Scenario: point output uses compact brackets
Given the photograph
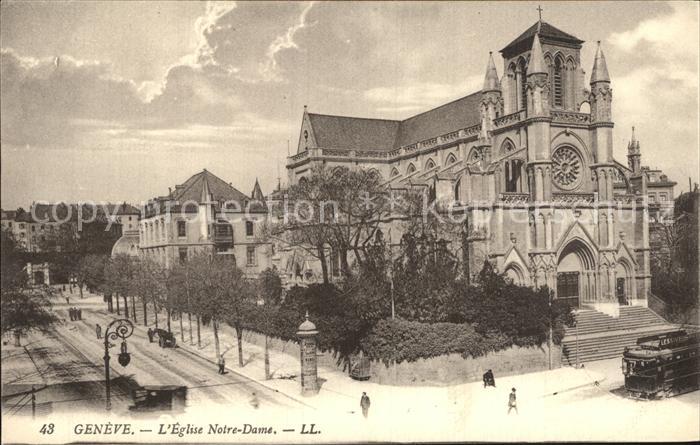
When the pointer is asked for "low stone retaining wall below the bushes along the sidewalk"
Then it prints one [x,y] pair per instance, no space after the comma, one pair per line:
[444,370]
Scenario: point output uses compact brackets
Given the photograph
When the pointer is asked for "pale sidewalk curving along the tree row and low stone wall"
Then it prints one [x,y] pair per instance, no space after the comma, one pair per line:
[341,394]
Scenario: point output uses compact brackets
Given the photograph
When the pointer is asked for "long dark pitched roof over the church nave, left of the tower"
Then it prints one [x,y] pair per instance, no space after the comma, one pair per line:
[354,133]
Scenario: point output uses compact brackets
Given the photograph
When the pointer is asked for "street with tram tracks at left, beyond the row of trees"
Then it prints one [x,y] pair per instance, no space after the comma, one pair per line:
[72,353]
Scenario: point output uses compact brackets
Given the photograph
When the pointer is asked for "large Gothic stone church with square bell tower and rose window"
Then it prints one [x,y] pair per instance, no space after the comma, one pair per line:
[530,159]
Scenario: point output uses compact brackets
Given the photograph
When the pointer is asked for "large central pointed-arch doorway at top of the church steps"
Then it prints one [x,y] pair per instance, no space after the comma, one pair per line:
[576,278]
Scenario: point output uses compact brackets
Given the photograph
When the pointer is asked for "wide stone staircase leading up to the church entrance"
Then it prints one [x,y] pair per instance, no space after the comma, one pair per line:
[601,336]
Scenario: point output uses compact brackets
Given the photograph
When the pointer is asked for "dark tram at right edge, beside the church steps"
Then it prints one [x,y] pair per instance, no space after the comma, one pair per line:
[662,365]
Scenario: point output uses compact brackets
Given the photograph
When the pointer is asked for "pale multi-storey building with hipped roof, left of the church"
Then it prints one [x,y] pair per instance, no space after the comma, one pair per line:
[205,214]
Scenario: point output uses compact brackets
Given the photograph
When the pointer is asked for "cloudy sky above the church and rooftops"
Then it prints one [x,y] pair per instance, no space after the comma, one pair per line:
[118,101]
